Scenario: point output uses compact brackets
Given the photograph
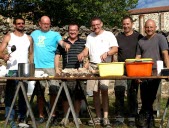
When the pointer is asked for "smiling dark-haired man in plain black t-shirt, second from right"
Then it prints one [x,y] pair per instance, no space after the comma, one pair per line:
[127,42]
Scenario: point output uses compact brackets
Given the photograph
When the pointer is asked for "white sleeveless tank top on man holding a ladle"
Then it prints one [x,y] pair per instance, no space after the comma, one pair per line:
[21,54]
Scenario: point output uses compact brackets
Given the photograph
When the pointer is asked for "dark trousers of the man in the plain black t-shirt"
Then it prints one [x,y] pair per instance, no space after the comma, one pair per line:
[132,89]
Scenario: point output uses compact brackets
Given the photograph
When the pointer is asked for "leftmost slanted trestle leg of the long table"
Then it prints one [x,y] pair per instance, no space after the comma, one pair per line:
[13,102]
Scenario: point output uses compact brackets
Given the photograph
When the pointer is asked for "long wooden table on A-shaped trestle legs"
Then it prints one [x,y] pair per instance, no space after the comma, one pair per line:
[21,79]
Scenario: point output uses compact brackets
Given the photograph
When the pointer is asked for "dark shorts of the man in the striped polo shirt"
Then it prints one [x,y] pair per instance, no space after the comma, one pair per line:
[75,92]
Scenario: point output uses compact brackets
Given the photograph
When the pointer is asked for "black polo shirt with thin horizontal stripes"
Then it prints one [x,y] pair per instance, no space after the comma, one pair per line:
[70,60]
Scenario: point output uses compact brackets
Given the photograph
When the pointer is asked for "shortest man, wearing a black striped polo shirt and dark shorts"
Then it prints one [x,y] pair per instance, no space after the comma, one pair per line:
[70,60]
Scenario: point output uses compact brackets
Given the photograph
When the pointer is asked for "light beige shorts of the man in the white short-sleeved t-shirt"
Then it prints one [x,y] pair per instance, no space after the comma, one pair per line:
[95,85]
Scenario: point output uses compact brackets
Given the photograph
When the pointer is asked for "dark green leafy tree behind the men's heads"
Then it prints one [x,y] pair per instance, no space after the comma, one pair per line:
[62,12]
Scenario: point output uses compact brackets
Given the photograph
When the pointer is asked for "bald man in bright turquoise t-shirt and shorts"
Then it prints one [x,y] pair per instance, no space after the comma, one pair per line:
[45,45]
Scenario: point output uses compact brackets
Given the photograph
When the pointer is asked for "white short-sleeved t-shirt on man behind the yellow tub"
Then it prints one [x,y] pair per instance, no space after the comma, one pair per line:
[99,44]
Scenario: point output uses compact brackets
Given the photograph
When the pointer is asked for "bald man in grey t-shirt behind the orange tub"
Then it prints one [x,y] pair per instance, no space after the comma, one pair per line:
[153,46]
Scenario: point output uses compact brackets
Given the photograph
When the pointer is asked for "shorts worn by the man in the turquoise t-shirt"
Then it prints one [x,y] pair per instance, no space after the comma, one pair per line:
[52,84]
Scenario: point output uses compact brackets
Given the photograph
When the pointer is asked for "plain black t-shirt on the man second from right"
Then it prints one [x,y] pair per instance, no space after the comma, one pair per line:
[127,45]
